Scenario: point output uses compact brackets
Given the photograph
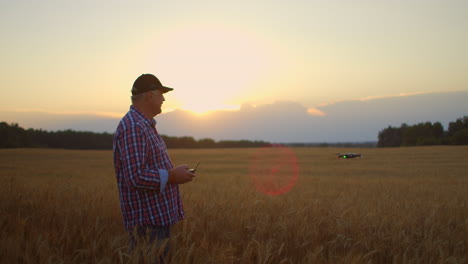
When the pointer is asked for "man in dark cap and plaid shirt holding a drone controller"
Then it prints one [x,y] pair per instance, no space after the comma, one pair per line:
[147,181]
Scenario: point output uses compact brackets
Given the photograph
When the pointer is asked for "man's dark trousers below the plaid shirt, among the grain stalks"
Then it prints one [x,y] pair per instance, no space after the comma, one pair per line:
[151,236]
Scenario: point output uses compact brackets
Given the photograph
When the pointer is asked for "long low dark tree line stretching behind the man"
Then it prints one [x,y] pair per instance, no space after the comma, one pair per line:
[14,136]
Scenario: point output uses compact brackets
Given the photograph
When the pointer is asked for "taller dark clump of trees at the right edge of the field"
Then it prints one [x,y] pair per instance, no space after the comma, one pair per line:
[425,134]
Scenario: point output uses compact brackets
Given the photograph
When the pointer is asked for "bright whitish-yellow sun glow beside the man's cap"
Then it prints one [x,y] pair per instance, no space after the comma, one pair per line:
[211,65]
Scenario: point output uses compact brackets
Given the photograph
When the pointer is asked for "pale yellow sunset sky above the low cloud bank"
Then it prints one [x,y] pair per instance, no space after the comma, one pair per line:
[81,57]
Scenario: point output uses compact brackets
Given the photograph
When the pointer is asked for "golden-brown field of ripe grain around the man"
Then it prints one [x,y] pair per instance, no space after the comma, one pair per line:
[399,205]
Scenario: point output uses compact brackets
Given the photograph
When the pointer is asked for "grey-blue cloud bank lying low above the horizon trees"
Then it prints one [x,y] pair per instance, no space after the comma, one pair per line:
[353,120]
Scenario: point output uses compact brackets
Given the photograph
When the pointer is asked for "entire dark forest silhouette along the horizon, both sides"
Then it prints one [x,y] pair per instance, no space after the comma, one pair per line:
[422,134]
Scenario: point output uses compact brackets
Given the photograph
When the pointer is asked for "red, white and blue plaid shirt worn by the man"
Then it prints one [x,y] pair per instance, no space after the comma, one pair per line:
[141,165]
